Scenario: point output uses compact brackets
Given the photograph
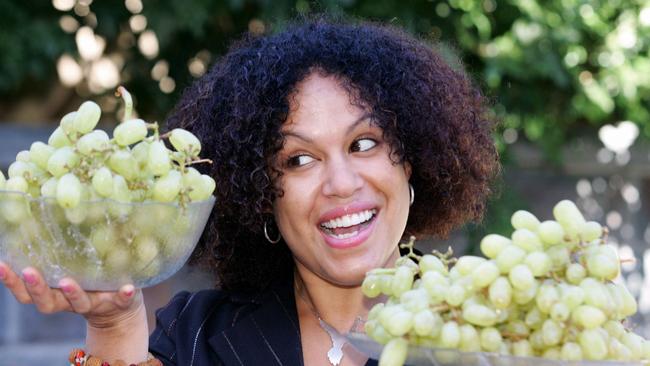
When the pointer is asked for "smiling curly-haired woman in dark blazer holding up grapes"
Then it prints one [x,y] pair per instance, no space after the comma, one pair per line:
[331,142]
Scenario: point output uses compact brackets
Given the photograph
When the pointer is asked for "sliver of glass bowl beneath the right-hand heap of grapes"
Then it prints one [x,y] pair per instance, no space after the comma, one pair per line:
[424,356]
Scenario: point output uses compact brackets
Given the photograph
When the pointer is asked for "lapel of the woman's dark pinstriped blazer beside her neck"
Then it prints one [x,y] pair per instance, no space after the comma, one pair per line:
[269,332]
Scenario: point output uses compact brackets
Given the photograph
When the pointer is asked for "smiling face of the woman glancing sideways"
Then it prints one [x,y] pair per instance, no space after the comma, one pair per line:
[345,203]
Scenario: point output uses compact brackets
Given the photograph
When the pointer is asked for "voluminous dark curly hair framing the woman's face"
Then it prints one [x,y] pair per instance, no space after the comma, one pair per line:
[430,113]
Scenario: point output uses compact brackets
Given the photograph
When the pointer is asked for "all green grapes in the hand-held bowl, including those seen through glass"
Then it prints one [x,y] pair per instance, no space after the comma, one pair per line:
[87,183]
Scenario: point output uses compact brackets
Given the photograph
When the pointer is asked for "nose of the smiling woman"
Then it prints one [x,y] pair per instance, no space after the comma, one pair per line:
[342,178]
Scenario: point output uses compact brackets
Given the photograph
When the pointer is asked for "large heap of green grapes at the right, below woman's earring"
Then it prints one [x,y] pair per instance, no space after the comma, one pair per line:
[549,290]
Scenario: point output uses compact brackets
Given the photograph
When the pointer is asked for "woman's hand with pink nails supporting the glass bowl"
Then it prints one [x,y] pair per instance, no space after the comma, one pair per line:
[101,309]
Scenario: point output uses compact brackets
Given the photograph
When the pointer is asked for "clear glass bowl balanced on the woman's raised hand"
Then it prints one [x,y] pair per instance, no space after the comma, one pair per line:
[102,244]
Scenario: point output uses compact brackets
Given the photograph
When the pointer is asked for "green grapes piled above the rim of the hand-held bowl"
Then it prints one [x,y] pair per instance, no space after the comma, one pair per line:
[79,163]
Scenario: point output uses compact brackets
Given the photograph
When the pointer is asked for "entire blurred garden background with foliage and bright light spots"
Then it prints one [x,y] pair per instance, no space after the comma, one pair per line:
[569,79]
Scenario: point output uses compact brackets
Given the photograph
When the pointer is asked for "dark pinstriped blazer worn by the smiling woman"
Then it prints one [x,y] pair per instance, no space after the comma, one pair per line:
[212,327]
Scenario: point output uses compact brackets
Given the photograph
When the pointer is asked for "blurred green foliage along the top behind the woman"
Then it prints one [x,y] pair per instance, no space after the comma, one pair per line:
[555,69]
